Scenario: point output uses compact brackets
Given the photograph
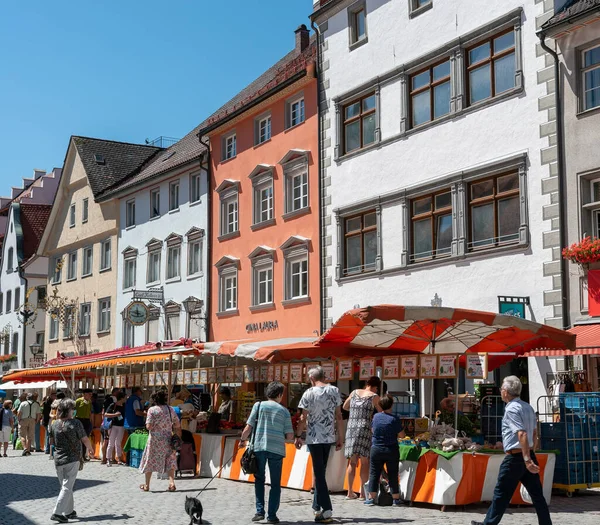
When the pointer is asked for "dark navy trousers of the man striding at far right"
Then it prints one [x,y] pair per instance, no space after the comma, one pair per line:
[513,471]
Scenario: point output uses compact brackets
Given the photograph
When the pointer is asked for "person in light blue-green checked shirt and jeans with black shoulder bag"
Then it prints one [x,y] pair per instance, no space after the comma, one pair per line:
[272,427]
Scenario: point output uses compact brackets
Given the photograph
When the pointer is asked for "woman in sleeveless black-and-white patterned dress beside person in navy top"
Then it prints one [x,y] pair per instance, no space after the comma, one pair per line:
[361,404]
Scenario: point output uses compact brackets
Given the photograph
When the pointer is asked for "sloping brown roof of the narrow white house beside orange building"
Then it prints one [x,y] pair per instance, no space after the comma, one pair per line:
[189,148]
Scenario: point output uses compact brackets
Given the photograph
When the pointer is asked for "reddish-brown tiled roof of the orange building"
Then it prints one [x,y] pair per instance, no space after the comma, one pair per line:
[292,64]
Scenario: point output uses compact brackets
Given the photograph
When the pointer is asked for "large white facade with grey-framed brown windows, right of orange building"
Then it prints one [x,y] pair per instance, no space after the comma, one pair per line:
[434,164]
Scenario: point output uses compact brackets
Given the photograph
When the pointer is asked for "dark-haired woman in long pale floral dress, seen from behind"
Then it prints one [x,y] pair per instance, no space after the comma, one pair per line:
[158,455]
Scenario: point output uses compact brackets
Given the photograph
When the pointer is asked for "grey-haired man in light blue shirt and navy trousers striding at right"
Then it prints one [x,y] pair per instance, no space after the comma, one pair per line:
[519,436]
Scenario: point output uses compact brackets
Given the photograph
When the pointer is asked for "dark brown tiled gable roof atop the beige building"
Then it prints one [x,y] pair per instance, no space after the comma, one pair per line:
[121,160]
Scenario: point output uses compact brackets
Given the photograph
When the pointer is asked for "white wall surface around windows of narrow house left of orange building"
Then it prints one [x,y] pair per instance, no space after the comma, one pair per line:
[179,222]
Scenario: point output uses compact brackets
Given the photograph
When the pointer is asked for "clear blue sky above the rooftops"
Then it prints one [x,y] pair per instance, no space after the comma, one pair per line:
[126,69]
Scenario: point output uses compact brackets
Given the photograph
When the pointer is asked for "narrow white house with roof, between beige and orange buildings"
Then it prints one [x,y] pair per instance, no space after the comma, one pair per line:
[162,245]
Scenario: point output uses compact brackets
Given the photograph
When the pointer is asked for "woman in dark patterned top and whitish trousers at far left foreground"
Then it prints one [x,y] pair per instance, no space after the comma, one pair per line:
[67,435]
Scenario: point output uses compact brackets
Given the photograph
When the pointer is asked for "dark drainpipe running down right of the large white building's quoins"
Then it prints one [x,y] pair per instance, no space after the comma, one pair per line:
[562,193]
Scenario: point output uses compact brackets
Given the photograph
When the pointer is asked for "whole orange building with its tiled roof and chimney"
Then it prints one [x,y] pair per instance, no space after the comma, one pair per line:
[265,251]
